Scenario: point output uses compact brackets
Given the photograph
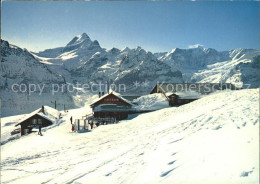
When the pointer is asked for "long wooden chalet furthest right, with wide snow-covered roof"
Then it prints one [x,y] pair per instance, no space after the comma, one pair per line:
[183,93]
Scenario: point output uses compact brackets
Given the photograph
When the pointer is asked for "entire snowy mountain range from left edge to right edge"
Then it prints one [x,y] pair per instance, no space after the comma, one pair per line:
[84,61]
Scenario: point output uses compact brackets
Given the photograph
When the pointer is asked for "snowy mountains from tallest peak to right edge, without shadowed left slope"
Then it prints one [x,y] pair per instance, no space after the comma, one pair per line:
[84,58]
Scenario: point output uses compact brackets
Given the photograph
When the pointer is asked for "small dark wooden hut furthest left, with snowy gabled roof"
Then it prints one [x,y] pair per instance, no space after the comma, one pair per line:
[38,118]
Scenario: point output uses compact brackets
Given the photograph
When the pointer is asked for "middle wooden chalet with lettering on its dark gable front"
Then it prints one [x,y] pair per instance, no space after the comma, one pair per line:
[111,106]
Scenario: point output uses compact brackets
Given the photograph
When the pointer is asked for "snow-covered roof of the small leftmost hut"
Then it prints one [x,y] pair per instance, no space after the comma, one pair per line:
[49,114]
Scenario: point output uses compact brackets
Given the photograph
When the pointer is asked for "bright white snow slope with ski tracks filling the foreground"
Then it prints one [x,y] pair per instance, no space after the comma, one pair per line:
[211,140]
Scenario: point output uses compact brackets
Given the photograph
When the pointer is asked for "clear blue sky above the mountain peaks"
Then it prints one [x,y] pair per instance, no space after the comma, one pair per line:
[155,26]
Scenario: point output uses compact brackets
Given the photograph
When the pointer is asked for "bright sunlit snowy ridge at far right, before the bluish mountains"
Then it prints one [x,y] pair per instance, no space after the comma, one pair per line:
[241,70]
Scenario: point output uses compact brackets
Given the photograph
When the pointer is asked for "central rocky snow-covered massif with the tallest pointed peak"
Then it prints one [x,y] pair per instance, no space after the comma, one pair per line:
[83,60]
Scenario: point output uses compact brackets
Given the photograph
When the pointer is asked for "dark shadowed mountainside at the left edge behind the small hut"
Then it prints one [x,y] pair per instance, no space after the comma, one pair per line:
[21,71]
